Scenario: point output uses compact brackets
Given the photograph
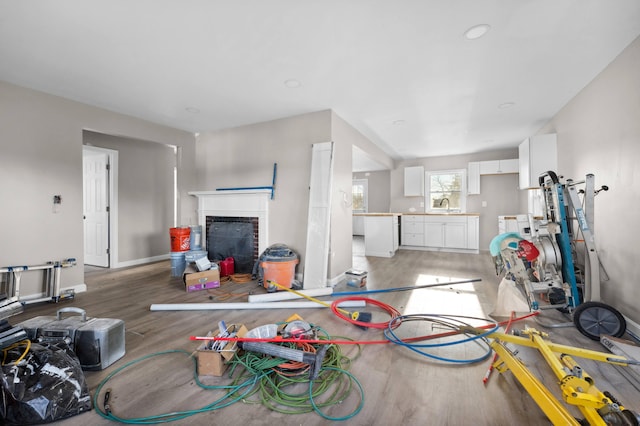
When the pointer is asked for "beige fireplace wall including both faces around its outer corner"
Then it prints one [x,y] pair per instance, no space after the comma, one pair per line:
[244,156]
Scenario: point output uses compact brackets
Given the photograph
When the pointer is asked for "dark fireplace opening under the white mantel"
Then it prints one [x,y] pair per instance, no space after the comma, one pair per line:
[235,237]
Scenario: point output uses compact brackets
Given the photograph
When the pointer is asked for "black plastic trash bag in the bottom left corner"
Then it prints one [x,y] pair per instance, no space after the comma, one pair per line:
[45,386]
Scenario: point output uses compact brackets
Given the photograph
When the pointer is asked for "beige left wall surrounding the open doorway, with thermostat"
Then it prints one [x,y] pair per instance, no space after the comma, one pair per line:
[41,156]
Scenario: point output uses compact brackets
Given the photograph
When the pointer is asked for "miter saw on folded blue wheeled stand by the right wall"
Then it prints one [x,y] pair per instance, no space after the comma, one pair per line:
[545,268]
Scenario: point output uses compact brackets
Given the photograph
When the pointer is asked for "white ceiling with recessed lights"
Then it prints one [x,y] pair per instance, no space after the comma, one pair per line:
[401,72]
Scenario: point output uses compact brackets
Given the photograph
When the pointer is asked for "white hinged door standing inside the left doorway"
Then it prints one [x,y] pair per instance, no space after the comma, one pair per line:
[96,207]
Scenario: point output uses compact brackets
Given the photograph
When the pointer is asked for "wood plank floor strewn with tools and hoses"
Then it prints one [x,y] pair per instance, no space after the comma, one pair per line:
[401,387]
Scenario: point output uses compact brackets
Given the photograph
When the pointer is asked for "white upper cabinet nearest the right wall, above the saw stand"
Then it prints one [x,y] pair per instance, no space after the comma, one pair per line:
[537,154]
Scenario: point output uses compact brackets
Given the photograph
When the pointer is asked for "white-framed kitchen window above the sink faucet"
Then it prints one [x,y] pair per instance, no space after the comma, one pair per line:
[446,191]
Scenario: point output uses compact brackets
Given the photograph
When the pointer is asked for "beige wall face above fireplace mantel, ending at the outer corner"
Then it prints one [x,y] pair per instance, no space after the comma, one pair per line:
[244,157]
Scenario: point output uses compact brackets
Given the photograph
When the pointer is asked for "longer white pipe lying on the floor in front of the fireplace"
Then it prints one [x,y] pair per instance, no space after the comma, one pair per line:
[242,305]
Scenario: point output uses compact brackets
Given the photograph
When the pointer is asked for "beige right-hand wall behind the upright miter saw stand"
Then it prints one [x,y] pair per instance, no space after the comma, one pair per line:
[599,132]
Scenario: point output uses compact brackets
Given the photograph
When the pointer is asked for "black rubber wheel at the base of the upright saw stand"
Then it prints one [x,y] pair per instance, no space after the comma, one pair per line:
[594,318]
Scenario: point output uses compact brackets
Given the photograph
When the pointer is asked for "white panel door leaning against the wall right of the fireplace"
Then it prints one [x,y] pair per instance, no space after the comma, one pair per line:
[316,262]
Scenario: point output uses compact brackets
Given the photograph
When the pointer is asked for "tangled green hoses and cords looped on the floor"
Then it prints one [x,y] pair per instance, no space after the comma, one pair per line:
[259,376]
